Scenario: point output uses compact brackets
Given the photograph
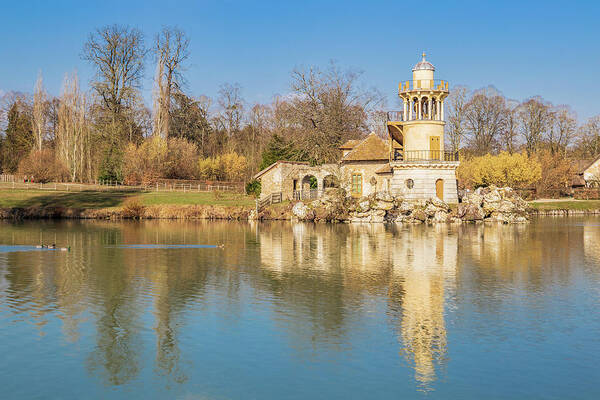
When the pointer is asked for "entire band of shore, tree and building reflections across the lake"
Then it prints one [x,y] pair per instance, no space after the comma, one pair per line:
[318,284]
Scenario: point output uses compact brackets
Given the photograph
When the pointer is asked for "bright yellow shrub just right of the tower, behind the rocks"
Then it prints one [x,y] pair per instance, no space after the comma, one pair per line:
[514,170]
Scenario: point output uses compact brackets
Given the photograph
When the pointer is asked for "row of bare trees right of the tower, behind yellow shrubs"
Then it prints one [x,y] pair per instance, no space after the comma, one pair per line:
[484,121]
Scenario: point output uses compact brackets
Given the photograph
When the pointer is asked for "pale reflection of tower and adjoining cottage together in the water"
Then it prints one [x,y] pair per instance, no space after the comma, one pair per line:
[415,266]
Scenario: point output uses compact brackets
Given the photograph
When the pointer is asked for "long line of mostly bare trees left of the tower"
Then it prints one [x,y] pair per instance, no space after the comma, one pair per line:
[109,133]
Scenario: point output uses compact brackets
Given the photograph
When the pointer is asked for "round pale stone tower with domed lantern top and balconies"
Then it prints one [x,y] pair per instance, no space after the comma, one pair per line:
[420,166]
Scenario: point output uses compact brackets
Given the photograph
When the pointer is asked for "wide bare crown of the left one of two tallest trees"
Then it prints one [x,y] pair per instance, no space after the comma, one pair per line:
[118,54]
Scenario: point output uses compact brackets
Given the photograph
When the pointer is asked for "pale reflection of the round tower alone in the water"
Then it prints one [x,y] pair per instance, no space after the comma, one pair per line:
[424,261]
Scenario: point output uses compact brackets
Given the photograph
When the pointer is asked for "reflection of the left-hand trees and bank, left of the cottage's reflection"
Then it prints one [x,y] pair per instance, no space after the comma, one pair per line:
[115,283]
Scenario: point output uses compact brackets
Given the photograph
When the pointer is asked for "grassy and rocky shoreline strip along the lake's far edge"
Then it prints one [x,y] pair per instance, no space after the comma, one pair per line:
[502,205]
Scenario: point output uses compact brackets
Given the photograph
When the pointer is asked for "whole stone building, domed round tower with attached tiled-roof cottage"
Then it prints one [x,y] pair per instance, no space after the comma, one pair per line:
[412,163]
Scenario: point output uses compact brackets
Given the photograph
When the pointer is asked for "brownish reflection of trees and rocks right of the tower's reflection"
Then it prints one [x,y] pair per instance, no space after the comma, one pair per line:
[525,256]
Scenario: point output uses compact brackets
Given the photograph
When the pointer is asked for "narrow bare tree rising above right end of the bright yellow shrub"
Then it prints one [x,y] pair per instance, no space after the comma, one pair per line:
[534,118]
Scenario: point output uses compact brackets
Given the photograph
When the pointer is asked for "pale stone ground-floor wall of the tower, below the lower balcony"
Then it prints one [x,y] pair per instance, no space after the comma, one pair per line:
[424,178]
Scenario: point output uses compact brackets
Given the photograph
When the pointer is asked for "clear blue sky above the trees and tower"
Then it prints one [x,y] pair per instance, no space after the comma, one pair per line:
[524,48]
